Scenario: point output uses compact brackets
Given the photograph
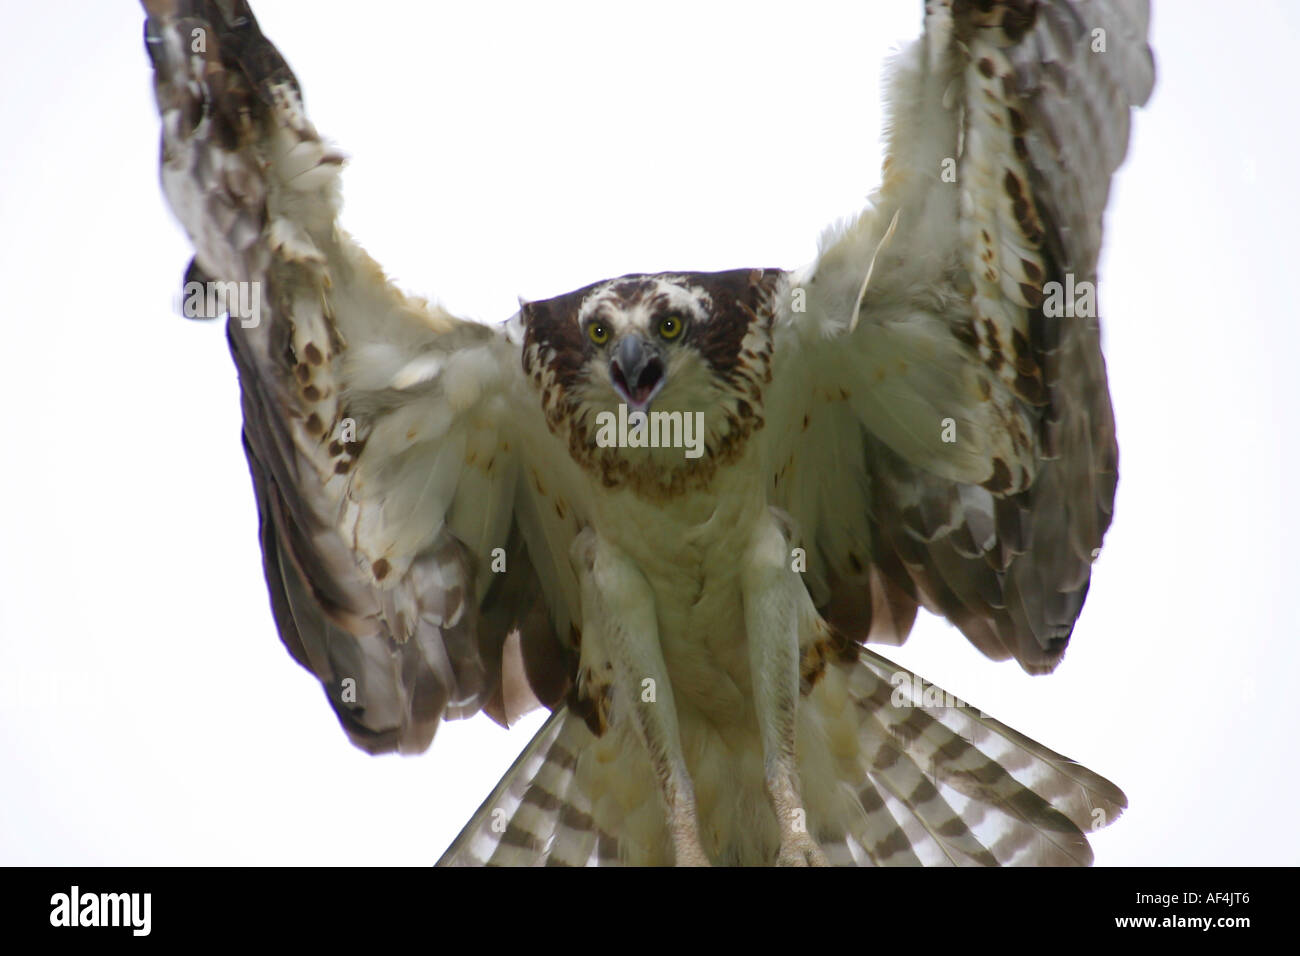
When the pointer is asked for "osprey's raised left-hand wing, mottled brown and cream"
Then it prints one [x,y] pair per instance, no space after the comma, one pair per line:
[415,557]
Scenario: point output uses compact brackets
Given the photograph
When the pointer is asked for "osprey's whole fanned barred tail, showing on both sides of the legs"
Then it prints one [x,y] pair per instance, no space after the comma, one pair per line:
[903,776]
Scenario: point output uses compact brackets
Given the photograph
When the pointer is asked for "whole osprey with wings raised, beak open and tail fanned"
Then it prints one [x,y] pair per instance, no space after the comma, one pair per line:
[674,509]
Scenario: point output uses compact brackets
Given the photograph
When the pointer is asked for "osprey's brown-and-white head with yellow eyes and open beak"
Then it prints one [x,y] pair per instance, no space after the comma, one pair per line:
[666,347]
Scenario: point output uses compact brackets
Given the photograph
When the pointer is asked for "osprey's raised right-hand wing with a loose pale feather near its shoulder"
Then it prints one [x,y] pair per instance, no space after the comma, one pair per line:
[941,426]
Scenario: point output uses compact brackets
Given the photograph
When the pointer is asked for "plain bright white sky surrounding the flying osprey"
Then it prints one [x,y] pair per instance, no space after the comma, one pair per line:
[149,713]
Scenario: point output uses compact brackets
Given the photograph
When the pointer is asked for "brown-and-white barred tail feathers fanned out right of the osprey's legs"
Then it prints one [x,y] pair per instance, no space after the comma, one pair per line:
[947,785]
